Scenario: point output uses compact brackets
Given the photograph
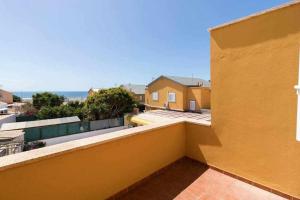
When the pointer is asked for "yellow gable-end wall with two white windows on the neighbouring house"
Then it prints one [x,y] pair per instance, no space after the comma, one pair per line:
[163,86]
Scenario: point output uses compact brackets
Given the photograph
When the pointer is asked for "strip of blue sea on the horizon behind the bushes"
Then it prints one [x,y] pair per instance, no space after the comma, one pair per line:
[69,95]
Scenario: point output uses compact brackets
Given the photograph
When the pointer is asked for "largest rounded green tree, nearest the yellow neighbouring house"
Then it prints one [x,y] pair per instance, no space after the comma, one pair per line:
[109,103]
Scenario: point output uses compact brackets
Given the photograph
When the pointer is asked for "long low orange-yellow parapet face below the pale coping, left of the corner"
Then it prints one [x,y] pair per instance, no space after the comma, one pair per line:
[95,172]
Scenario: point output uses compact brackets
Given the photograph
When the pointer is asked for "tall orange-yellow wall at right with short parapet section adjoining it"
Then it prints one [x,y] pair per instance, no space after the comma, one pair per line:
[254,67]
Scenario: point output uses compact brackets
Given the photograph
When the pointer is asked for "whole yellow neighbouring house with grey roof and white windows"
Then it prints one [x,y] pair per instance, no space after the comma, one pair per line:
[178,93]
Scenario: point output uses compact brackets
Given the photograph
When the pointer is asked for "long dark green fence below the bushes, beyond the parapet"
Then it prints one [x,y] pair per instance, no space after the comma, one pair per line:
[46,132]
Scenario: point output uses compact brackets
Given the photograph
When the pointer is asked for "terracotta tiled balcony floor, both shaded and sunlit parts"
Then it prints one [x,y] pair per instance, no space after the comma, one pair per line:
[188,179]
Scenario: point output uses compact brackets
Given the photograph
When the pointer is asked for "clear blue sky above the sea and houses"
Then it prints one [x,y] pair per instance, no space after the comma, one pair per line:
[75,45]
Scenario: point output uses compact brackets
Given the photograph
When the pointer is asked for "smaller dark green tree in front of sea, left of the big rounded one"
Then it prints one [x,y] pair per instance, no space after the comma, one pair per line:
[46,99]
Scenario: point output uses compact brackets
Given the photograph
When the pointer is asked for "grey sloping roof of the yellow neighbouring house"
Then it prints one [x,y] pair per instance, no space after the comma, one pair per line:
[186,81]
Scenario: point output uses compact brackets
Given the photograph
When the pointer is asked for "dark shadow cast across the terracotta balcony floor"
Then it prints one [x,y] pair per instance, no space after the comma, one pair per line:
[169,183]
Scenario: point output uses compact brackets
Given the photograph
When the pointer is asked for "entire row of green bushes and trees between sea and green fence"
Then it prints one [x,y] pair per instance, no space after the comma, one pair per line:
[105,104]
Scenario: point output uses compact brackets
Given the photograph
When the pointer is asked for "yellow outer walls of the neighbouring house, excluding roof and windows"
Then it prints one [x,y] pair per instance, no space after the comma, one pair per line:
[183,95]
